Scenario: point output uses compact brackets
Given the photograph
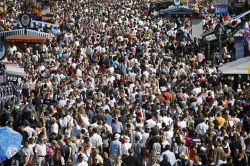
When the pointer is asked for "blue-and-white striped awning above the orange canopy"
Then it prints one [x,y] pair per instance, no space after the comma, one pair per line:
[22,32]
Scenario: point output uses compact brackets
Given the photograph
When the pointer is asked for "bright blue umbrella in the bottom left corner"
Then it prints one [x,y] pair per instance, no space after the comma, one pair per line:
[10,143]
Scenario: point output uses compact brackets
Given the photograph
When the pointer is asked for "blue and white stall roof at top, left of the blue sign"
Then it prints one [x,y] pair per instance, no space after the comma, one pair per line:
[172,10]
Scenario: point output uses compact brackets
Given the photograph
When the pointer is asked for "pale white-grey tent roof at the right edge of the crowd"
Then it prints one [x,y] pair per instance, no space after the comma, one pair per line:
[240,66]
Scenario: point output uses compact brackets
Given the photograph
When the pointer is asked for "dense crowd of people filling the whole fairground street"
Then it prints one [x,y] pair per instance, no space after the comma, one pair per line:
[120,86]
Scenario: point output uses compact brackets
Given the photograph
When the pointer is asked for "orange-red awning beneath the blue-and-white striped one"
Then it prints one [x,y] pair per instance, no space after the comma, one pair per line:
[26,39]
